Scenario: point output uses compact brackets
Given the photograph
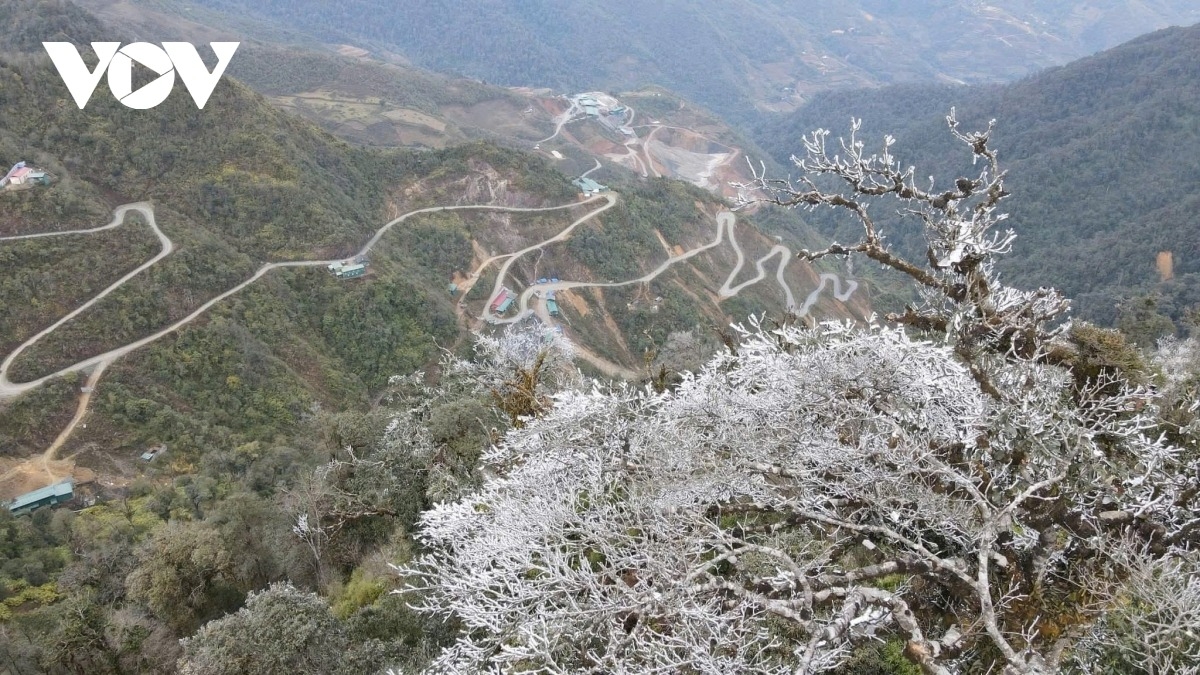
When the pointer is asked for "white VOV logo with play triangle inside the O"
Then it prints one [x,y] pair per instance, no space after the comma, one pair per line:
[166,61]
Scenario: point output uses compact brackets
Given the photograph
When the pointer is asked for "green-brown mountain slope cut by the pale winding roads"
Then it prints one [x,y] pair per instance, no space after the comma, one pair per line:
[242,184]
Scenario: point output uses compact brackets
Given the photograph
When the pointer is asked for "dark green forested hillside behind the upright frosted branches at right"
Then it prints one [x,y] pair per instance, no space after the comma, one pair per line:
[1105,175]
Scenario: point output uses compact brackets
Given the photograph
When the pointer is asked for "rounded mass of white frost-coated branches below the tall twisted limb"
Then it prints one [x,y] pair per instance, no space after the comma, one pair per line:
[751,521]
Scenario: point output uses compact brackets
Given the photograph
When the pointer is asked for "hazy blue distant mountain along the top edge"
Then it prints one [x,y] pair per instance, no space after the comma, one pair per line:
[731,55]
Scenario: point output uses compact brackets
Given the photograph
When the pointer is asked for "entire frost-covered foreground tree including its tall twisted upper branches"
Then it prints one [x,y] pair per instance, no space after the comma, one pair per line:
[947,480]
